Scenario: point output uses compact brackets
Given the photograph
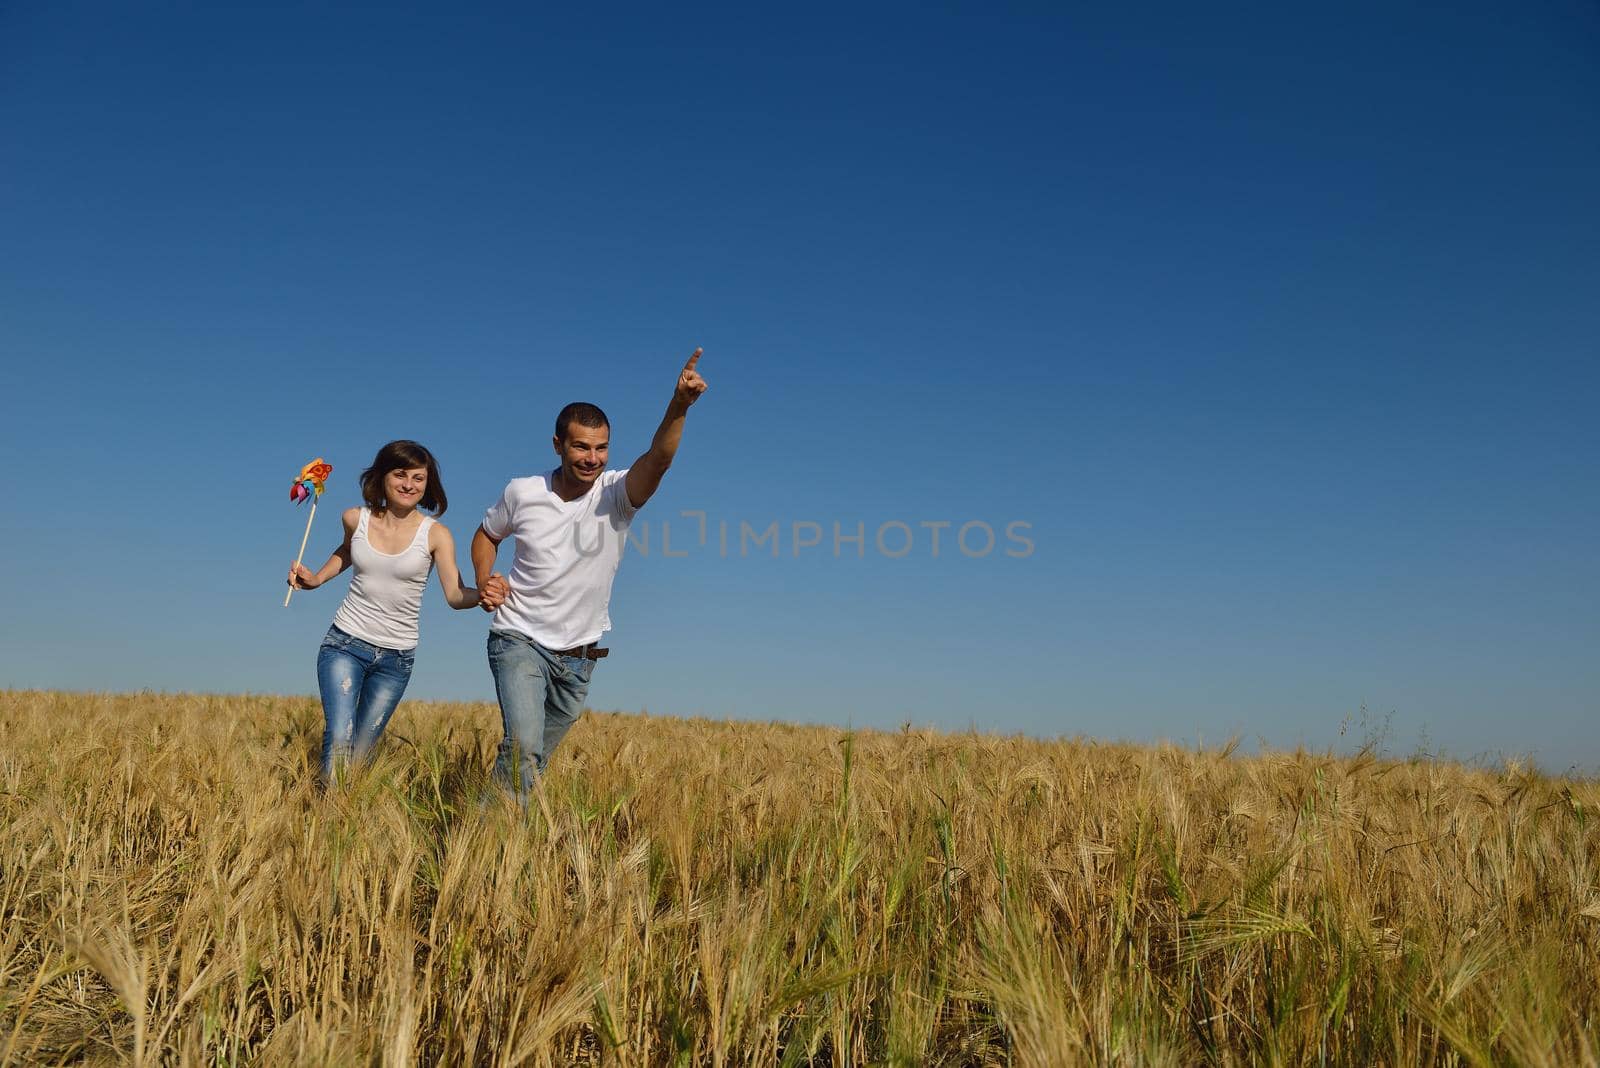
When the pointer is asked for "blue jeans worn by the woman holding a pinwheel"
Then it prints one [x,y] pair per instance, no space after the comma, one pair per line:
[361,687]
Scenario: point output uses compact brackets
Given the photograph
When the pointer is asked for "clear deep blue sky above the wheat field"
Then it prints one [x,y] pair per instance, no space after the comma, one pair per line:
[1276,327]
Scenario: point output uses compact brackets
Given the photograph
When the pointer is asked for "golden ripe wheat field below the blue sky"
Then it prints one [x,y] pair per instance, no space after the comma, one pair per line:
[177,890]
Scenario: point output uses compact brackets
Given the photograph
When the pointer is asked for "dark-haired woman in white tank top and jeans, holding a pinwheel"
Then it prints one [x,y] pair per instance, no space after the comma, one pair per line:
[366,660]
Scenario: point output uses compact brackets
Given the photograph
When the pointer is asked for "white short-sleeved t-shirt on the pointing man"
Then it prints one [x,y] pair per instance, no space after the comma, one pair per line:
[567,557]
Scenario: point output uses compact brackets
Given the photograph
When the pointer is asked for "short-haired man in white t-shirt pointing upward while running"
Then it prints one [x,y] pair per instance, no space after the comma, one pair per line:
[570,528]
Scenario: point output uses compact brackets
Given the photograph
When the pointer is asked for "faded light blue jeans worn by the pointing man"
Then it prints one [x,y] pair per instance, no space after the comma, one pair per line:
[542,696]
